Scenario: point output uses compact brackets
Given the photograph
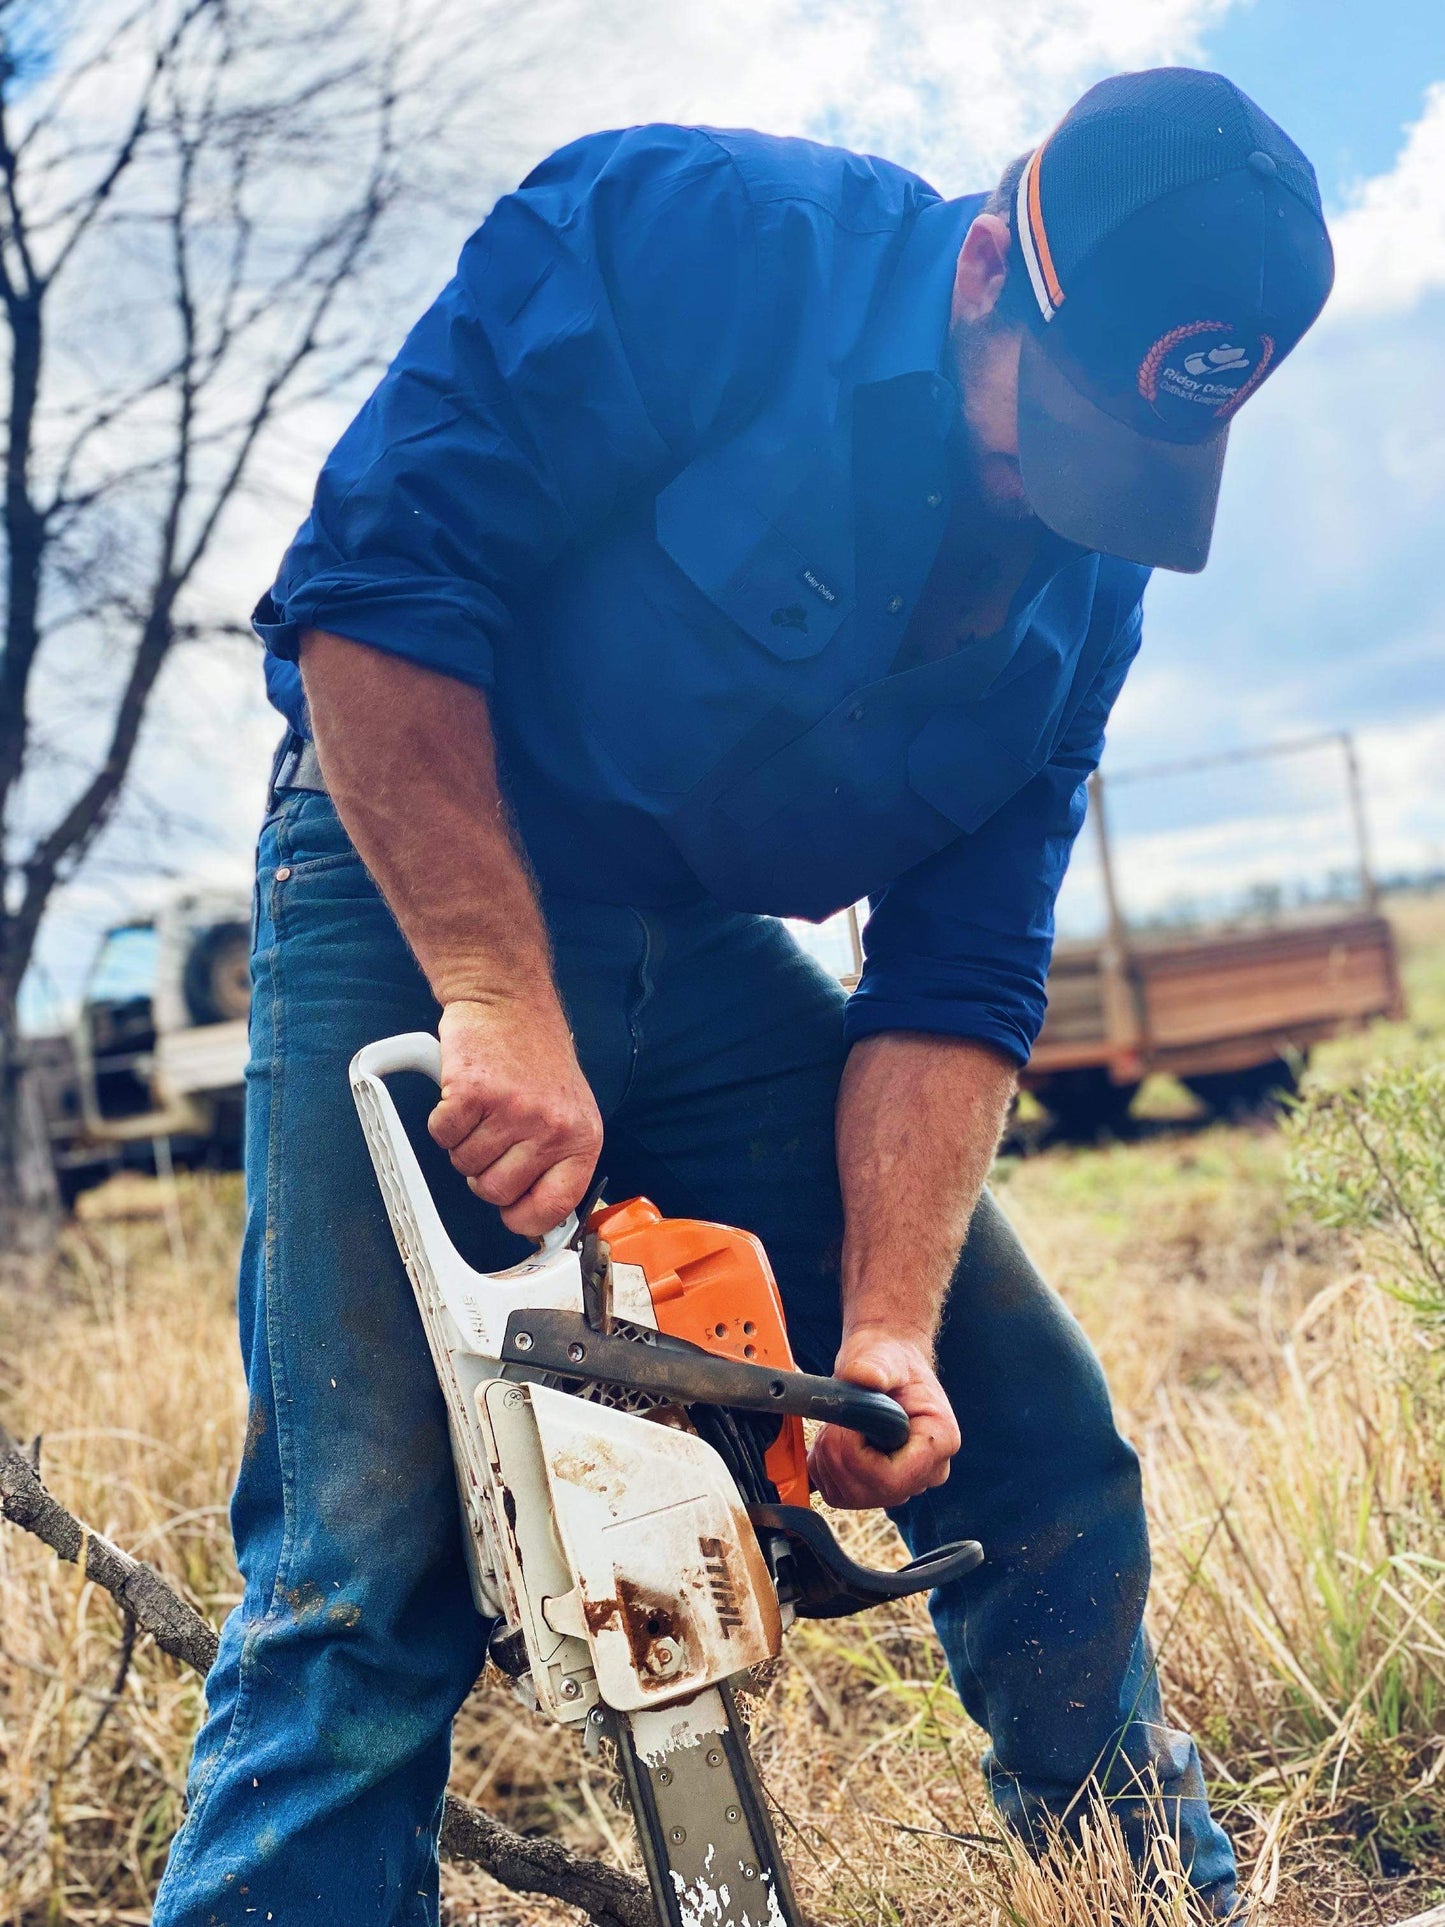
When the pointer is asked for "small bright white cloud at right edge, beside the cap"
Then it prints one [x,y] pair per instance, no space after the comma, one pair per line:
[1390,242]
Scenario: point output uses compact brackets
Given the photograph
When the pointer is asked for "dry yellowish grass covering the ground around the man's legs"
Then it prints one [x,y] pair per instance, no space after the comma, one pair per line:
[1292,1437]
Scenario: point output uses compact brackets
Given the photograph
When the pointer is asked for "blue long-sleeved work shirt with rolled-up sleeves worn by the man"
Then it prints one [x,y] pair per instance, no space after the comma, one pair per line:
[664,471]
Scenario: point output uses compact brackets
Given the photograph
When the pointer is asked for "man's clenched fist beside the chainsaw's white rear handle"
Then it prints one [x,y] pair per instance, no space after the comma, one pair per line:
[517,1115]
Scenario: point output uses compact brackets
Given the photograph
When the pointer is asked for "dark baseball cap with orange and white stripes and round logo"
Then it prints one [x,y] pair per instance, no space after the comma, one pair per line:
[1174,251]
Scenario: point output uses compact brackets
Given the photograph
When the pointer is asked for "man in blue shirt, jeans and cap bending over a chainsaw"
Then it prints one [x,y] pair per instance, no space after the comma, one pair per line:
[745,531]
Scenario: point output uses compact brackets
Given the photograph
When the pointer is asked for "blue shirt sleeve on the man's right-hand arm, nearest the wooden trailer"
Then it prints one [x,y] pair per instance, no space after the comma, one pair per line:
[960,945]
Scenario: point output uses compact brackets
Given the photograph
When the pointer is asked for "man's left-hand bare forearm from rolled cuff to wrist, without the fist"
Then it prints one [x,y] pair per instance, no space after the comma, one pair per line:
[411,768]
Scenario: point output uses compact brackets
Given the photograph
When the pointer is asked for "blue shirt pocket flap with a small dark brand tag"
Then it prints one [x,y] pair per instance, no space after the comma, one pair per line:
[747,566]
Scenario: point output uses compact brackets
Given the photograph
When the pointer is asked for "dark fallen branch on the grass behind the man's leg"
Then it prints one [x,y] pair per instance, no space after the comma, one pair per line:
[527,1866]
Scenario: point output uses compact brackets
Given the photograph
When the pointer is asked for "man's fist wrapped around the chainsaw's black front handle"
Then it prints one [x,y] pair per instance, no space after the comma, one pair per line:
[849,1471]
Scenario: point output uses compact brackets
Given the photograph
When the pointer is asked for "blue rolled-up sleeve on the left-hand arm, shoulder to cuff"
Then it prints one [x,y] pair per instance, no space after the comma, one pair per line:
[602,321]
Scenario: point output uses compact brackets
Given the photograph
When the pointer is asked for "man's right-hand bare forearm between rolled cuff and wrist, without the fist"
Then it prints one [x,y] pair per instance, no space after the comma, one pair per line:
[918,1126]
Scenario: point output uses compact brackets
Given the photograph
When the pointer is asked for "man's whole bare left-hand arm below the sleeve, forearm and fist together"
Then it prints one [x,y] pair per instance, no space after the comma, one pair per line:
[409,764]
